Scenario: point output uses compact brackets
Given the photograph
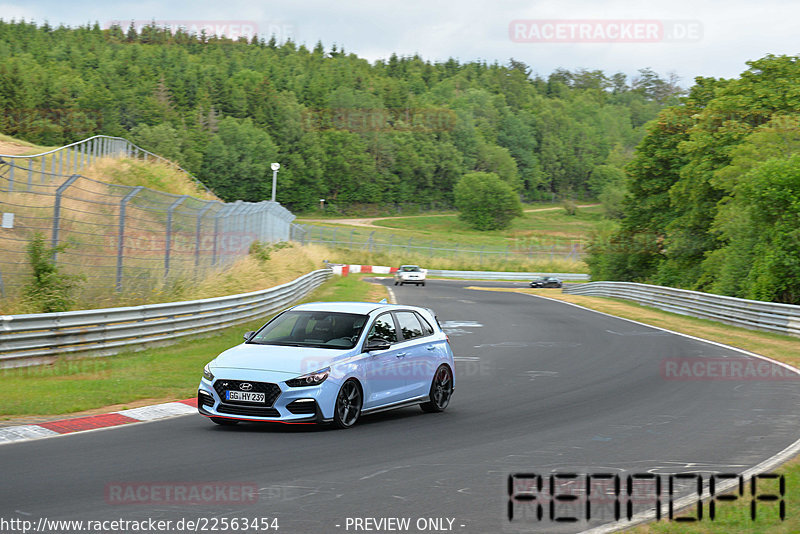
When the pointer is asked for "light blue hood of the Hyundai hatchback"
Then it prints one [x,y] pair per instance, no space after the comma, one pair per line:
[290,360]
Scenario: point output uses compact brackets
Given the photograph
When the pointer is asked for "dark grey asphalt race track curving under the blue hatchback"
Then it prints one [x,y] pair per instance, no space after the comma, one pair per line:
[541,386]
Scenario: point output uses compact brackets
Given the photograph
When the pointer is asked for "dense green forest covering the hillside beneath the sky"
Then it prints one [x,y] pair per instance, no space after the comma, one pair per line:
[391,133]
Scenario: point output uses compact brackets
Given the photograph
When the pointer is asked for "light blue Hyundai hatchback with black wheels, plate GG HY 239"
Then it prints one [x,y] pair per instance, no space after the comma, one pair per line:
[331,362]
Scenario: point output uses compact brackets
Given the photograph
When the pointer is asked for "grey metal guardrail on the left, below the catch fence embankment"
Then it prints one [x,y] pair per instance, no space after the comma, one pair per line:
[36,338]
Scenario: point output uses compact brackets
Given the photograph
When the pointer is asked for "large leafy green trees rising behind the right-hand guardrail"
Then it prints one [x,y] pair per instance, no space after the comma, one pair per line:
[713,200]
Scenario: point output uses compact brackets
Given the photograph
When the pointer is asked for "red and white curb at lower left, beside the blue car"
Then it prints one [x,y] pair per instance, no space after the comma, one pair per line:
[15,434]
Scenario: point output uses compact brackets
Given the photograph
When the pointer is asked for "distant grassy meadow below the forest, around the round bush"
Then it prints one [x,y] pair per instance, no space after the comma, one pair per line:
[541,241]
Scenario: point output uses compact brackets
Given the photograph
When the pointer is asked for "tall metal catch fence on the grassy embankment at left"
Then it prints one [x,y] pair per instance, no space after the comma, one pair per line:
[119,237]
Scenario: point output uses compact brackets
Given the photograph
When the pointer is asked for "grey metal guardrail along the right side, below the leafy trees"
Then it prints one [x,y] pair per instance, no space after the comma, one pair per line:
[753,314]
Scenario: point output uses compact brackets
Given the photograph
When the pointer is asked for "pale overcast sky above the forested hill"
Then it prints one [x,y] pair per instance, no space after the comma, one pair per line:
[686,37]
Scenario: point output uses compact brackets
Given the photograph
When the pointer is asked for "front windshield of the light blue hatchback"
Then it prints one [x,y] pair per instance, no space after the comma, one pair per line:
[330,330]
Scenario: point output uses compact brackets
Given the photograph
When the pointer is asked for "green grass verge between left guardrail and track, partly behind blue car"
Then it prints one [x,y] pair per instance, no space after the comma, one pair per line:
[161,374]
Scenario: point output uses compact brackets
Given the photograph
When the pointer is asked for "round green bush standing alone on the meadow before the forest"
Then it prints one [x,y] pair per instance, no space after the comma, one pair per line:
[486,202]
